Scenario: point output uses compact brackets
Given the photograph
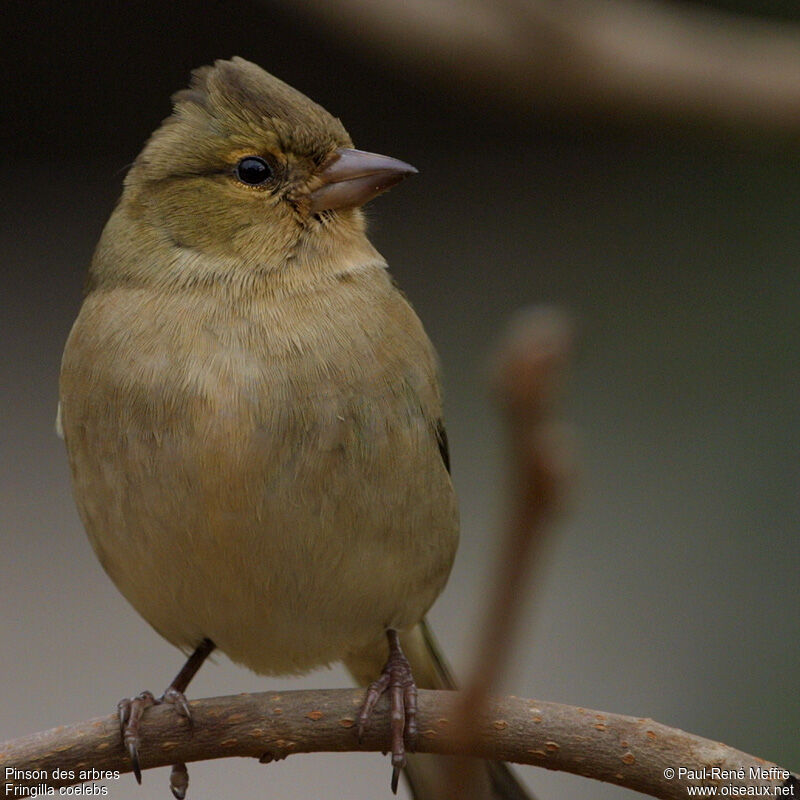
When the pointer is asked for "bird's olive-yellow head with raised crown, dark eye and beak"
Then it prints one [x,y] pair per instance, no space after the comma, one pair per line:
[250,170]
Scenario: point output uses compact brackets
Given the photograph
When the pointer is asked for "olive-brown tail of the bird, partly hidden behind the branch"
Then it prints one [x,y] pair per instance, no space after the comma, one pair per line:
[426,773]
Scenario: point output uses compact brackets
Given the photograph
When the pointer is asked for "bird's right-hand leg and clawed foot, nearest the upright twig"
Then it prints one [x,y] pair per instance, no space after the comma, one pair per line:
[397,679]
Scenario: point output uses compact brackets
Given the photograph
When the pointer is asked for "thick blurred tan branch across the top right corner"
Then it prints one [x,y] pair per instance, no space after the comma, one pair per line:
[668,61]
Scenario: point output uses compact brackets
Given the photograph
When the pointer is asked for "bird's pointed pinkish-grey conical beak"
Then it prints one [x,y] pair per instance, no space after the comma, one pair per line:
[352,177]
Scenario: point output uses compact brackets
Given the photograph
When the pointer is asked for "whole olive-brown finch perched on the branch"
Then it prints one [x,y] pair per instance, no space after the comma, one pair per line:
[252,411]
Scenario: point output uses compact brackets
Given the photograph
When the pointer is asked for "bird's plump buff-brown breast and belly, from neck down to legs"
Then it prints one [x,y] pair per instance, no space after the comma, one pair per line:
[257,465]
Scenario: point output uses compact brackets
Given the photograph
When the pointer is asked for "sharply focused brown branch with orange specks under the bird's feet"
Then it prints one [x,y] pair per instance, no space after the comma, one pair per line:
[629,752]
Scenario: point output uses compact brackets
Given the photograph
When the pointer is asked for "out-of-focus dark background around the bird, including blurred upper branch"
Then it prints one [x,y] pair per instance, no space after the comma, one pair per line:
[635,162]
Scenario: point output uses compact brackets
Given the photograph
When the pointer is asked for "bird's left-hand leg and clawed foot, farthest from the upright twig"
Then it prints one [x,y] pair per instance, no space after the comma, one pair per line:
[132,709]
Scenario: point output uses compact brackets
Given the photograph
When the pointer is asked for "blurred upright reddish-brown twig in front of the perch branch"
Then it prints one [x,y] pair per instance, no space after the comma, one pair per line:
[529,371]
